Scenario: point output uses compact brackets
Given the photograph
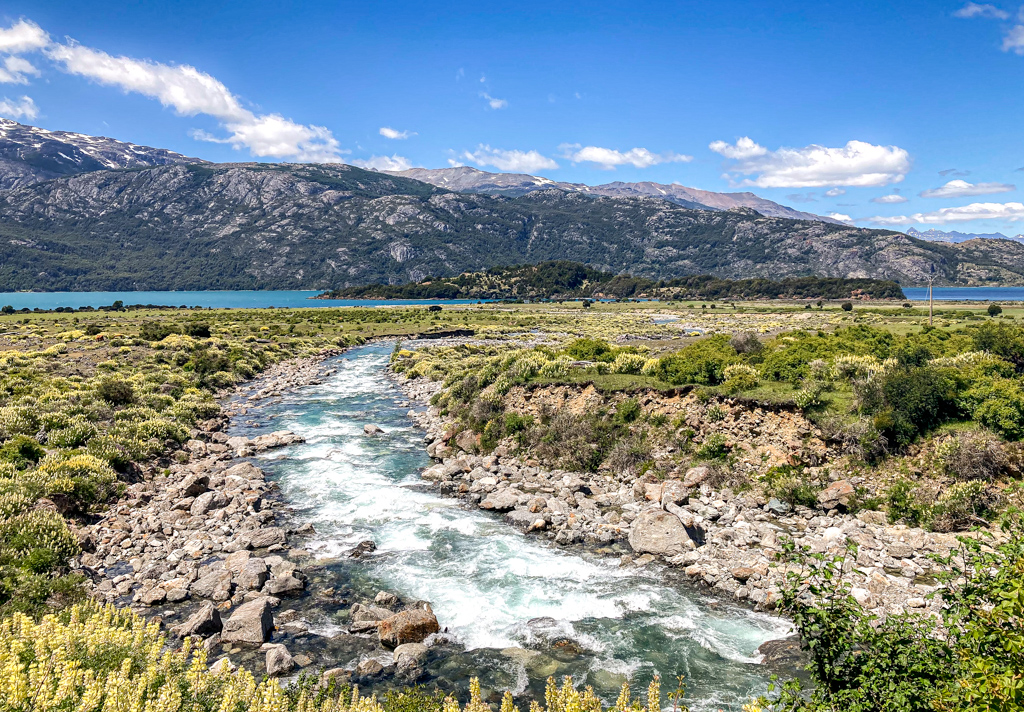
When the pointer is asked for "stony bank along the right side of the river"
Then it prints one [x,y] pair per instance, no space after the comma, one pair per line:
[726,542]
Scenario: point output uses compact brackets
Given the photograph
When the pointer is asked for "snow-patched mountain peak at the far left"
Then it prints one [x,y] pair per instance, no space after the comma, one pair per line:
[30,155]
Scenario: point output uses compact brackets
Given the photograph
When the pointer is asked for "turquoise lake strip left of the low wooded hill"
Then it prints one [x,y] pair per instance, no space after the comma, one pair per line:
[219,301]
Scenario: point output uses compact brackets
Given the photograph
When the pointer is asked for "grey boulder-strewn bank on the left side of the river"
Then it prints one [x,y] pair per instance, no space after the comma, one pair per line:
[198,548]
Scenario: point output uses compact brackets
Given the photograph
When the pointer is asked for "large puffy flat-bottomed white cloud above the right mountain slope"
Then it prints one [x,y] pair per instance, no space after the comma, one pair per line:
[858,164]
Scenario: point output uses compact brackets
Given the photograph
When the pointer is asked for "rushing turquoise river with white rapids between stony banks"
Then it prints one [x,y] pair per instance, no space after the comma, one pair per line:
[492,587]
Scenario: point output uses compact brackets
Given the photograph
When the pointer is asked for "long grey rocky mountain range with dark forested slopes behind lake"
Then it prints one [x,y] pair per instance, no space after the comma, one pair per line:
[89,214]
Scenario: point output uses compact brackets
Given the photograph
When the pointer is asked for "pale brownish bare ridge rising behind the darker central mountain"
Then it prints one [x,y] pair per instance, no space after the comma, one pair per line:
[467,180]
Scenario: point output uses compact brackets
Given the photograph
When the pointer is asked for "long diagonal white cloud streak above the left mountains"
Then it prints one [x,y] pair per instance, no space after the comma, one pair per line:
[191,93]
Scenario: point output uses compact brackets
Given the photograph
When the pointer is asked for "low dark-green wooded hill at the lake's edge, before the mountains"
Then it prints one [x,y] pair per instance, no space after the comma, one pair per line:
[567,280]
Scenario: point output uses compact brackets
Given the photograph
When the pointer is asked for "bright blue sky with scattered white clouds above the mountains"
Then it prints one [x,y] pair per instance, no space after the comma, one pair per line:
[886,115]
